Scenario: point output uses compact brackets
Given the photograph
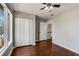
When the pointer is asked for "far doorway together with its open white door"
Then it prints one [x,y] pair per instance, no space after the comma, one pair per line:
[45,31]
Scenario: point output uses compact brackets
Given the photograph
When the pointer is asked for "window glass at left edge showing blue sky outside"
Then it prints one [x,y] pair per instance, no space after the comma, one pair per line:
[1,26]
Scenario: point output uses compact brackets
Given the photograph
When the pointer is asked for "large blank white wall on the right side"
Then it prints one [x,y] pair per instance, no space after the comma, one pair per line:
[66,29]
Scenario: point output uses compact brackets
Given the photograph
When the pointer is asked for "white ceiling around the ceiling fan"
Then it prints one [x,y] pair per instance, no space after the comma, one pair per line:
[34,8]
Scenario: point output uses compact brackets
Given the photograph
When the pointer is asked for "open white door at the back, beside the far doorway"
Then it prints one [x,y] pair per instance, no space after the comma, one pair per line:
[43,31]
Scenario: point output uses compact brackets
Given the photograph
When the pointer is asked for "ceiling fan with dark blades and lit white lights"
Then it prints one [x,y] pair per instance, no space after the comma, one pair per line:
[49,6]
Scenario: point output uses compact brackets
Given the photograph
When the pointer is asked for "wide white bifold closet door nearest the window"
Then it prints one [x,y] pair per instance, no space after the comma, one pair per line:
[22,32]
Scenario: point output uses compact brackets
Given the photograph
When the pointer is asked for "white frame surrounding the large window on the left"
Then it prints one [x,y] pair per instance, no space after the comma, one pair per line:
[9,29]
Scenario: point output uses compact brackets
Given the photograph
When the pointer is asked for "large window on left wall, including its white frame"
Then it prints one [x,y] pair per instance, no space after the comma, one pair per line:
[5,26]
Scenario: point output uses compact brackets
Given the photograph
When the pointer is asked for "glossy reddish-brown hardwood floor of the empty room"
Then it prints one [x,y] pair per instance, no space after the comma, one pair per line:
[42,48]
